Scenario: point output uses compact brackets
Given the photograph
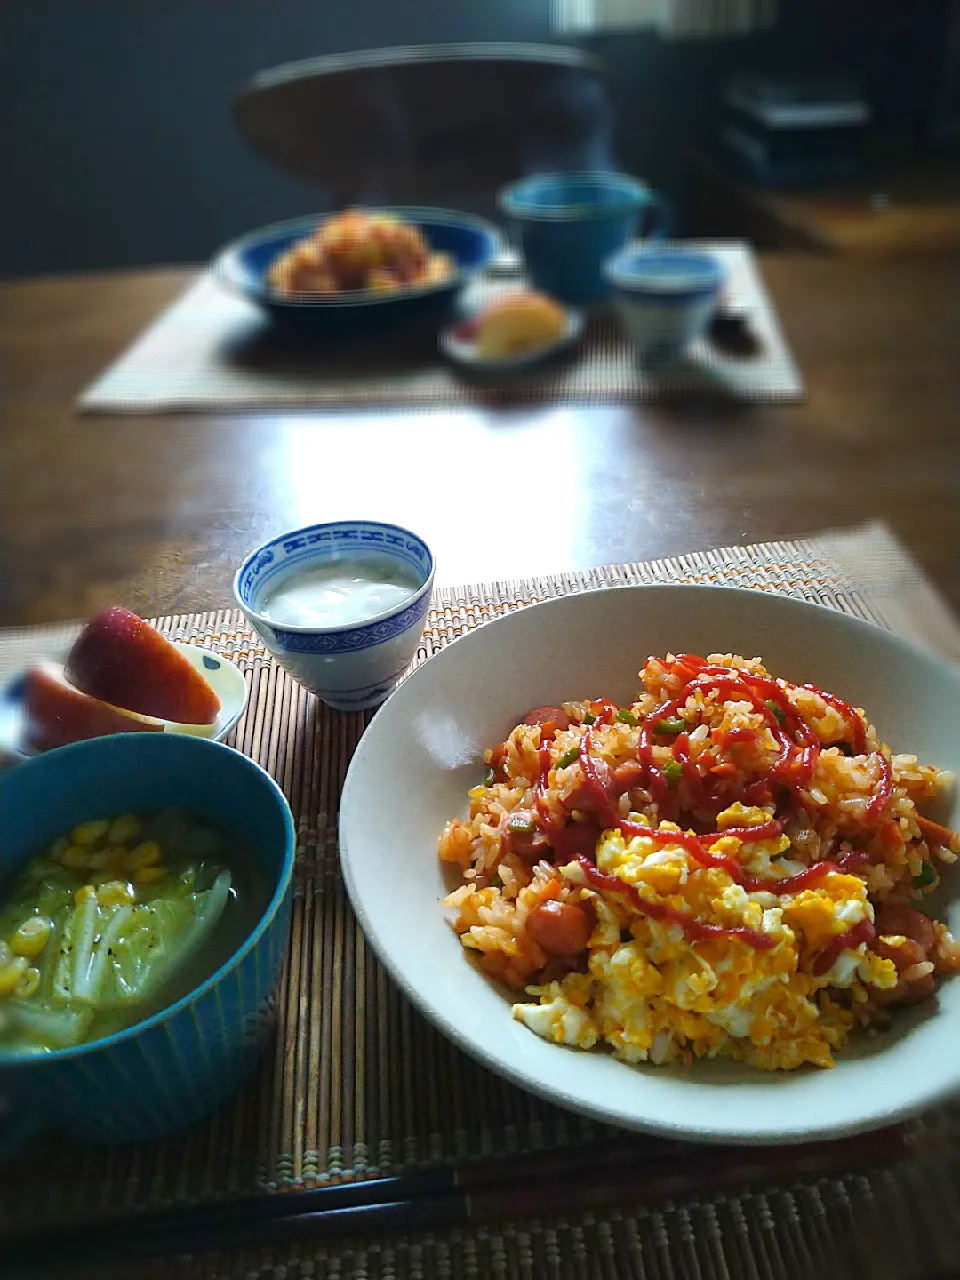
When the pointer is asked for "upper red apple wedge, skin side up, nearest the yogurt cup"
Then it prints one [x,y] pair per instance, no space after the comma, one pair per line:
[124,661]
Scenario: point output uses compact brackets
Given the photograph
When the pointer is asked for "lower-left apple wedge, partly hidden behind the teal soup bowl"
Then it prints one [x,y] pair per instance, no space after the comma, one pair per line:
[57,714]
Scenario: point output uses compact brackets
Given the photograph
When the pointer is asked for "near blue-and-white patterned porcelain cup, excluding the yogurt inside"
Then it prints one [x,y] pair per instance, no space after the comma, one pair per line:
[356,665]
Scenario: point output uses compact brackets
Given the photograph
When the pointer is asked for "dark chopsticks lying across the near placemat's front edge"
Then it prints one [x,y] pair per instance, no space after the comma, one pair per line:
[548,1183]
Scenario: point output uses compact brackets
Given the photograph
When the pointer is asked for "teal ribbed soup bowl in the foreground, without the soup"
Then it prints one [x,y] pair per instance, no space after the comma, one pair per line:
[172,1068]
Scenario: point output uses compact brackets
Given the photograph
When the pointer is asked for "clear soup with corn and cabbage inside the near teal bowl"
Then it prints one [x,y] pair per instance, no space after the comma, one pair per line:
[118,920]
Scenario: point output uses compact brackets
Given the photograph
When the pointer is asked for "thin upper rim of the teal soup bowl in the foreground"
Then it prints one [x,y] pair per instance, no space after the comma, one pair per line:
[21,1060]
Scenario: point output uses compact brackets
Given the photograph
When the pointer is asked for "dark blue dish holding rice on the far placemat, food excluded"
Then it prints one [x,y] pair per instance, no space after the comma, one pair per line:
[472,243]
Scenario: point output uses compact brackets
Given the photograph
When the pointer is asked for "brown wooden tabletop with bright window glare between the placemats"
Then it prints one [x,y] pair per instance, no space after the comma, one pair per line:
[156,513]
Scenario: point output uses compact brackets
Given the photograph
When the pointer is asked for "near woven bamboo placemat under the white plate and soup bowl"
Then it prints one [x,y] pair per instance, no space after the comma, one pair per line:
[359,1085]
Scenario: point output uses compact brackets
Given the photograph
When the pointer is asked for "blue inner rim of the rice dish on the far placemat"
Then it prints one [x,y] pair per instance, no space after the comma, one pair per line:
[228,272]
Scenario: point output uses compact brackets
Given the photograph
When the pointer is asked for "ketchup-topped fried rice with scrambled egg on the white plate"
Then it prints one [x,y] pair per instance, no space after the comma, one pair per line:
[730,866]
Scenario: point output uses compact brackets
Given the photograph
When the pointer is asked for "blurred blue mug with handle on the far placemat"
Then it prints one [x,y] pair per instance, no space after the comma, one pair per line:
[570,223]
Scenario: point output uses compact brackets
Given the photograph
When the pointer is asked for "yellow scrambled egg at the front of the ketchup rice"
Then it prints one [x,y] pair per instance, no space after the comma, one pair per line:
[653,994]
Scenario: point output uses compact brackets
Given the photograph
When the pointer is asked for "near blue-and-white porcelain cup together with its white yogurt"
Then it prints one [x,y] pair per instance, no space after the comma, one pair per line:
[341,606]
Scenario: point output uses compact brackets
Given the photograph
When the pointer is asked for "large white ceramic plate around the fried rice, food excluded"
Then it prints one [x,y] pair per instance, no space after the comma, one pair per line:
[424,749]
